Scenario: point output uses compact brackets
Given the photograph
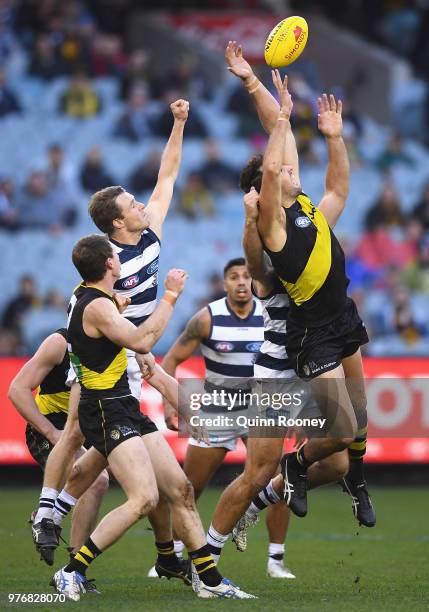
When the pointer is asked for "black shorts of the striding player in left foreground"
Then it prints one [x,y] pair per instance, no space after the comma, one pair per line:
[106,423]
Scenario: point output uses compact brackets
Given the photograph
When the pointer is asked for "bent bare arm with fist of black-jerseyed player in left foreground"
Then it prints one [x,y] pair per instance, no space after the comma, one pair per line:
[101,318]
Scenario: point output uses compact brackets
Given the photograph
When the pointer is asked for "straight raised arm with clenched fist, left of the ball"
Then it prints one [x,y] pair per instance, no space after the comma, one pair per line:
[160,199]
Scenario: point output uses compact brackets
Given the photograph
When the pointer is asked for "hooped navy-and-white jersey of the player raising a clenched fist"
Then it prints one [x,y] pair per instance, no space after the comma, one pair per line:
[139,275]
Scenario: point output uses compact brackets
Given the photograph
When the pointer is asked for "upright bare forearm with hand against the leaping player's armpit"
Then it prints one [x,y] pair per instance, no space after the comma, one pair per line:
[256,260]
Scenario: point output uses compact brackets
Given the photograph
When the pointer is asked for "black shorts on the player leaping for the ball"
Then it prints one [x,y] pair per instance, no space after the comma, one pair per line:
[314,350]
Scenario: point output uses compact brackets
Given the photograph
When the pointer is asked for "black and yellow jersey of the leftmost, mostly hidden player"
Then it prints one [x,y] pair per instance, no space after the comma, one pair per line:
[53,394]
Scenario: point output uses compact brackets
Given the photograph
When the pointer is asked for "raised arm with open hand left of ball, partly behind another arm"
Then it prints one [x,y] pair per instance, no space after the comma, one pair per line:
[266,105]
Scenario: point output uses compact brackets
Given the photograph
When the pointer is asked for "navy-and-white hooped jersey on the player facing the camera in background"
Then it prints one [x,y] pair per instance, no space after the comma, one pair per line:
[230,349]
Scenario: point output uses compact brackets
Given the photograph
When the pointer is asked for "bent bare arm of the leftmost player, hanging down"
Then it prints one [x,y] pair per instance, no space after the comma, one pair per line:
[48,355]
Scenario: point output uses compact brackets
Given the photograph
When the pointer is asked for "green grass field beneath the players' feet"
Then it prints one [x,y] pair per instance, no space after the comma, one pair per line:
[338,566]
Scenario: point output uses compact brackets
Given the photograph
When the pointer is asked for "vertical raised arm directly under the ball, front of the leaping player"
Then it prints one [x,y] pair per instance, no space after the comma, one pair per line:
[271,220]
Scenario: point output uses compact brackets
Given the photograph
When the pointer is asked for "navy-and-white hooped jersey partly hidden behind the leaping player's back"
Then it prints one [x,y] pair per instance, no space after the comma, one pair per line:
[272,360]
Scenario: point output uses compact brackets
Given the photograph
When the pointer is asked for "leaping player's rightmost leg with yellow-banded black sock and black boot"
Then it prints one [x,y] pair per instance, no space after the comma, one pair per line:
[354,482]
